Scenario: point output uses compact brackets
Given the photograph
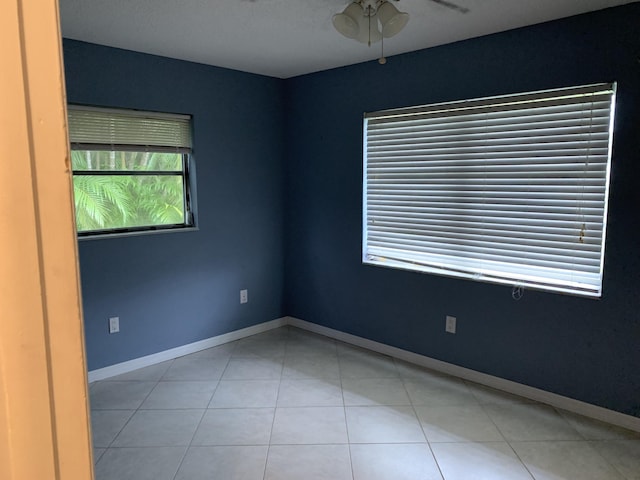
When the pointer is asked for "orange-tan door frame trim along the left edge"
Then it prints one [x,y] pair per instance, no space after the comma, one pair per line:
[44,415]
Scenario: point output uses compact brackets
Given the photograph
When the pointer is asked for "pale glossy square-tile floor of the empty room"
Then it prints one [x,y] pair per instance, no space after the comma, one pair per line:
[291,405]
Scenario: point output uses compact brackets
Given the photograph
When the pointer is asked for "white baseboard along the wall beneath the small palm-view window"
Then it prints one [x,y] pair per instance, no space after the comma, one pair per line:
[130,365]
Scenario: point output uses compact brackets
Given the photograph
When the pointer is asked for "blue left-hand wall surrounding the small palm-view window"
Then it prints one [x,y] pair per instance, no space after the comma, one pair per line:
[173,289]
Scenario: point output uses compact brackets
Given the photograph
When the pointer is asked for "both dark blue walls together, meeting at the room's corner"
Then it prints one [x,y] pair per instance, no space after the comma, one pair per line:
[279,176]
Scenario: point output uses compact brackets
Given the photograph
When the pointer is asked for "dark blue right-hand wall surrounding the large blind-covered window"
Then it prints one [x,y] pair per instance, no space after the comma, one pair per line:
[581,348]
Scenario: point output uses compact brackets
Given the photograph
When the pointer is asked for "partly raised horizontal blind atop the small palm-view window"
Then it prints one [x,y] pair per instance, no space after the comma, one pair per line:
[93,127]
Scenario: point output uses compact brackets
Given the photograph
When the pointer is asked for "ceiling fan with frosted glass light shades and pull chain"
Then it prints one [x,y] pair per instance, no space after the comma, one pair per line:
[370,21]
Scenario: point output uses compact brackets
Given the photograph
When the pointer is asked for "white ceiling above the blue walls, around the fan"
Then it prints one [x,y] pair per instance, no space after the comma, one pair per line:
[285,38]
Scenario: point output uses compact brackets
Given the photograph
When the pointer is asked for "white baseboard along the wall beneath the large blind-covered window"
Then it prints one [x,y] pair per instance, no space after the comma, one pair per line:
[555,400]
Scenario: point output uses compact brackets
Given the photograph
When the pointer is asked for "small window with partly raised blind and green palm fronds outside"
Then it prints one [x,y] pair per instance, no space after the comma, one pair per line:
[130,170]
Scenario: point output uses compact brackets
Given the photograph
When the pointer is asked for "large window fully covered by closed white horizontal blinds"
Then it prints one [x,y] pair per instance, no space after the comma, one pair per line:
[510,189]
